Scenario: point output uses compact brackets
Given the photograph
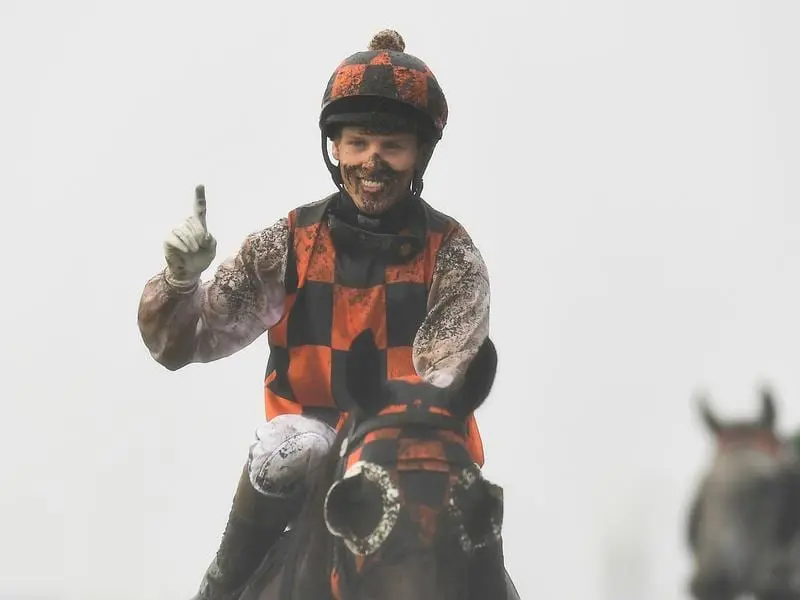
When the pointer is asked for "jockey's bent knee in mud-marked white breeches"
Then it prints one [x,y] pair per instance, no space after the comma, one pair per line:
[286,448]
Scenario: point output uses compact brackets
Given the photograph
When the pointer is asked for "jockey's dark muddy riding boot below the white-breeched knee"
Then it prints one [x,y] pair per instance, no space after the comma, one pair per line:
[255,523]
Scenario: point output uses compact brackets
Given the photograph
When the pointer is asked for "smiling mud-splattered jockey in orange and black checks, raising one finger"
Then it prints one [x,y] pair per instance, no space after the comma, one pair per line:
[373,254]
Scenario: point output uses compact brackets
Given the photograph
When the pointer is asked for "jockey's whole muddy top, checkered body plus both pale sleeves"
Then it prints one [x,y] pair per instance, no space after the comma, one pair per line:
[299,280]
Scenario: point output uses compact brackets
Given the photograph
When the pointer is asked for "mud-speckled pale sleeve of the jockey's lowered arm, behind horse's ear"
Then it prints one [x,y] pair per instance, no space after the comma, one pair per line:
[458,312]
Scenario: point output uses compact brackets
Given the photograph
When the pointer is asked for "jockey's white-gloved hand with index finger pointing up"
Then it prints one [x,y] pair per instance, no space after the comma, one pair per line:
[189,248]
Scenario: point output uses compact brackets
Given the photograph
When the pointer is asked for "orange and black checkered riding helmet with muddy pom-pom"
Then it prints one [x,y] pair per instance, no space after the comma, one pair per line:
[385,86]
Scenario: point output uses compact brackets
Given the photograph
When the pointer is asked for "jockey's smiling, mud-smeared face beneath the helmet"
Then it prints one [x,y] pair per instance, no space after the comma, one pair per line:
[376,169]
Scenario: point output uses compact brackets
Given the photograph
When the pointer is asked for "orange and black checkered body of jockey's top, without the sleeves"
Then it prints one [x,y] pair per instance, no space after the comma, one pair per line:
[331,297]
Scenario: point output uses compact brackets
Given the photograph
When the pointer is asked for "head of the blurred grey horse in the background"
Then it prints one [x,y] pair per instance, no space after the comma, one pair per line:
[734,515]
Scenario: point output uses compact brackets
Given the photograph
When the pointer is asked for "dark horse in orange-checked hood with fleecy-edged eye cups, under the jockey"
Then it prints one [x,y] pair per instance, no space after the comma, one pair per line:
[398,510]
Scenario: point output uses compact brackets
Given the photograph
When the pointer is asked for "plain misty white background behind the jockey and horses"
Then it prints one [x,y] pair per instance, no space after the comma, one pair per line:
[628,169]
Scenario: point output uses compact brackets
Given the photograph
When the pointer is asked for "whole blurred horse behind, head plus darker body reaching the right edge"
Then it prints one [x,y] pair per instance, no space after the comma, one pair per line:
[745,518]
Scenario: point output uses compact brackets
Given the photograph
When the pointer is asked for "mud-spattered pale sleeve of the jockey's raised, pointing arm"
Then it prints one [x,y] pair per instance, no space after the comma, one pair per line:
[243,299]
